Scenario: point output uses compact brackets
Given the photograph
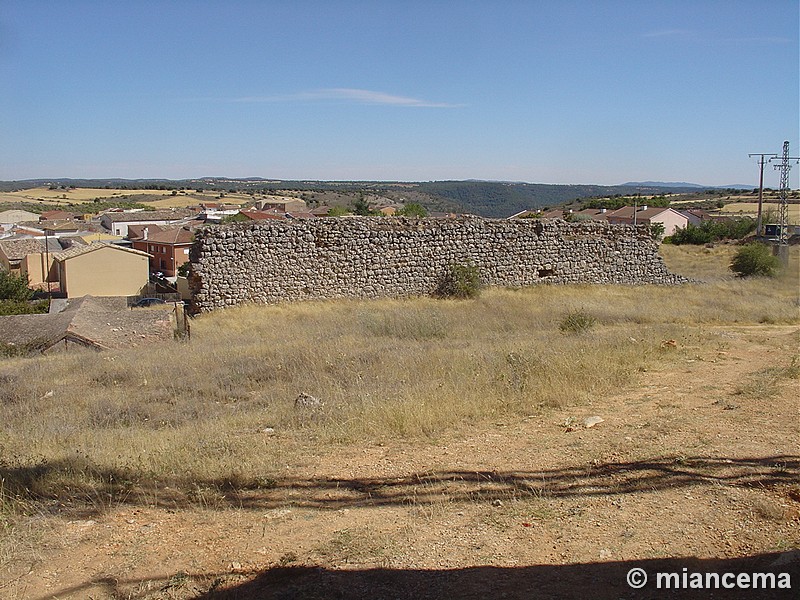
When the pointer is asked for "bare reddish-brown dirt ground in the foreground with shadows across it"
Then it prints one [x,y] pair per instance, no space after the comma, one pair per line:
[695,467]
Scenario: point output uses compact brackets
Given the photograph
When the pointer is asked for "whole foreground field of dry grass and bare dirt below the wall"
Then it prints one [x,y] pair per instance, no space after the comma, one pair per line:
[450,440]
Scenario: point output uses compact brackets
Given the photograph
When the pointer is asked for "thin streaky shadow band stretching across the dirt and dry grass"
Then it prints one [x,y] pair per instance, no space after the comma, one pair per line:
[82,490]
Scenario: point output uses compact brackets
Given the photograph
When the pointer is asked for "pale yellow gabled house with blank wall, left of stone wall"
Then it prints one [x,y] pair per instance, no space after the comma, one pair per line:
[102,270]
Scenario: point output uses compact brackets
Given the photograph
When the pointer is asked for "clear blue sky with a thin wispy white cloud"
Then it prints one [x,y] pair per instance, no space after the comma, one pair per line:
[550,91]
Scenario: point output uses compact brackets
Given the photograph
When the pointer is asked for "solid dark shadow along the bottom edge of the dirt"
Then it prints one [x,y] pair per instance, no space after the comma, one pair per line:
[601,581]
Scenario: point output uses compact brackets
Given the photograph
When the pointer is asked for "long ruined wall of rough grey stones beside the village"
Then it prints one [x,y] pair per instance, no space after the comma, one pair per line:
[372,257]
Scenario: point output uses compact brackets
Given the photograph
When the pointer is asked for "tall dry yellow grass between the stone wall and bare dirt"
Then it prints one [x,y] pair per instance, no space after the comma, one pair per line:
[188,422]
